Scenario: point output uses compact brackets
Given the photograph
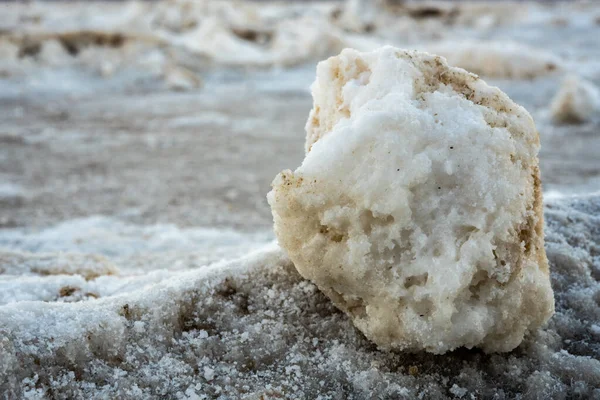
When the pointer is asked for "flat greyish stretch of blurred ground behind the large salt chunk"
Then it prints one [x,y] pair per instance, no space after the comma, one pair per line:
[204,158]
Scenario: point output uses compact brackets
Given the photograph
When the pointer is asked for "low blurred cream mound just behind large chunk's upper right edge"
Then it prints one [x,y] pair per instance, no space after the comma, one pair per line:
[498,59]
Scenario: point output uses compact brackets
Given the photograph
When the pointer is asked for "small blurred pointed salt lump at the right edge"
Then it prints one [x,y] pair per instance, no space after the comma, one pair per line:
[577,100]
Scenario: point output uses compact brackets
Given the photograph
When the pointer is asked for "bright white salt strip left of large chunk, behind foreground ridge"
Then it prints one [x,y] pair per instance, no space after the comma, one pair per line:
[102,246]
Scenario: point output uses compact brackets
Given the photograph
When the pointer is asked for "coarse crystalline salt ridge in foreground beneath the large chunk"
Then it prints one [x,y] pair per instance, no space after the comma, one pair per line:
[253,327]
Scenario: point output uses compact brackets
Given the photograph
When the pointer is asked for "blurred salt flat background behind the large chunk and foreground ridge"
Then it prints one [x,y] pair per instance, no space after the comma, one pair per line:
[149,132]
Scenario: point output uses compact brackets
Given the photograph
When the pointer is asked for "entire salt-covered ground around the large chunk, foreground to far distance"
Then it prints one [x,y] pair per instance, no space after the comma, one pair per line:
[124,181]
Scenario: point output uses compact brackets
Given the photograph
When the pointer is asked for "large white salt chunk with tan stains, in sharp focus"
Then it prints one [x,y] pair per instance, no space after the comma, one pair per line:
[418,207]
